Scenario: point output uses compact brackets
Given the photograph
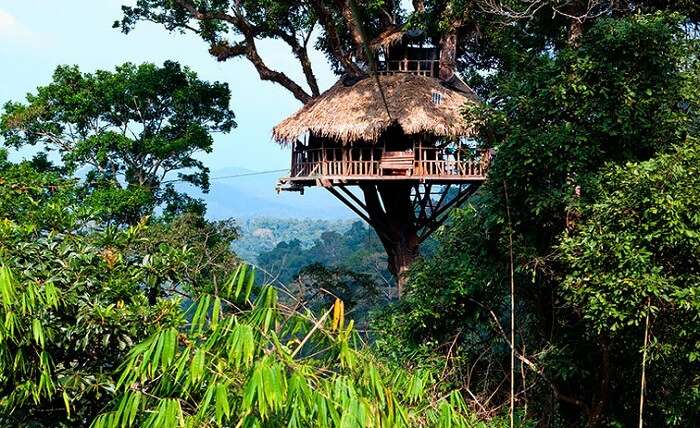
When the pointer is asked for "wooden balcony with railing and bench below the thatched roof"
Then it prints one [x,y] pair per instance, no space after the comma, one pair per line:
[354,165]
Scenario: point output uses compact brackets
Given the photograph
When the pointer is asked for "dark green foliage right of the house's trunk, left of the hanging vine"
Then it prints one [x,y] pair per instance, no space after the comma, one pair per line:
[443,323]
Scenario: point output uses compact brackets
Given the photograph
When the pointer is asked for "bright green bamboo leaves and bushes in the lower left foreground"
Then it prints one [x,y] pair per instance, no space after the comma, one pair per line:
[85,340]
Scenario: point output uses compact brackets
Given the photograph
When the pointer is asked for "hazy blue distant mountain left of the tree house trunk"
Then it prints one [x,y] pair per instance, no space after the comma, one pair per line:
[241,196]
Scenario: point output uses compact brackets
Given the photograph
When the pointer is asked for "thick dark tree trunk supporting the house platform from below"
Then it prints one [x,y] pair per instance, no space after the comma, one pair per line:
[393,216]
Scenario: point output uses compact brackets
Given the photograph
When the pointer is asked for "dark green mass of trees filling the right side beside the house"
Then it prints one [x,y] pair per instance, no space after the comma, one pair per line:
[557,114]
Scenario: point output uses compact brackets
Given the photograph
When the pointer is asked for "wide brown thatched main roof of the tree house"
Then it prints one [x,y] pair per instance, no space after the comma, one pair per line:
[358,113]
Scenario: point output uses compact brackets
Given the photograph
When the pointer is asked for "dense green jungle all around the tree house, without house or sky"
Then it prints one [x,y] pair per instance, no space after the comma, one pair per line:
[564,292]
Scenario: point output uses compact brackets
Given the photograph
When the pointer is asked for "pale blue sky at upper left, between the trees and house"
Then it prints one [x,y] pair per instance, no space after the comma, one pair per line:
[38,35]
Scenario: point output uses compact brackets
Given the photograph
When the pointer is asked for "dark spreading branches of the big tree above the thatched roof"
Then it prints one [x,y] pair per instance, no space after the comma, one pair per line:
[233,29]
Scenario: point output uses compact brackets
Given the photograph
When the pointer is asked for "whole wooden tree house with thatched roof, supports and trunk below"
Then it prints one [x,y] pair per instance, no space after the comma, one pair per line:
[399,136]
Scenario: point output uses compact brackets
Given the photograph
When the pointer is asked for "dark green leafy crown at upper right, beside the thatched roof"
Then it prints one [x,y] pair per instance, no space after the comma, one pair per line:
[619,96]
